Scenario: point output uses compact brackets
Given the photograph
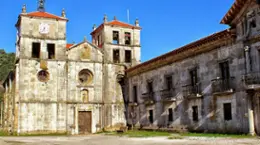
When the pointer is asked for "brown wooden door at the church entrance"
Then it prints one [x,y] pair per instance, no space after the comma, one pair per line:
[85,118]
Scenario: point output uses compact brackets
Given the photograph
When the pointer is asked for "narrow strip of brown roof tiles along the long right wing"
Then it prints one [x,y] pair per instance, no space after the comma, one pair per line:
[160,60]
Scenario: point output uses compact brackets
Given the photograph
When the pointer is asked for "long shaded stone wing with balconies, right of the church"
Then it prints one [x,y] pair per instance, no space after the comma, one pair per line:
[210,85]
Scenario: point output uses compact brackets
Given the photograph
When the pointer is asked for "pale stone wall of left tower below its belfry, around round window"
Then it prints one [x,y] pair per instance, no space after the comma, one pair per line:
[43,104]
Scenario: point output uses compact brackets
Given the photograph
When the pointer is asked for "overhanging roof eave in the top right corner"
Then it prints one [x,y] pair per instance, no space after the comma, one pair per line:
[233,11]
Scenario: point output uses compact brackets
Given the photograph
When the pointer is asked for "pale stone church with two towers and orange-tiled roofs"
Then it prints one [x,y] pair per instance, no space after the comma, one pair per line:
[58,87]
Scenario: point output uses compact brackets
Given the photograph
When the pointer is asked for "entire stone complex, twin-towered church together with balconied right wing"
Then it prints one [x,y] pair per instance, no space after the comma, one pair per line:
[210,85]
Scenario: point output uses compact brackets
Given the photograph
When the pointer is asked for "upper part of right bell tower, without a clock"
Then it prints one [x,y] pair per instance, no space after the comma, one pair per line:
[120,41]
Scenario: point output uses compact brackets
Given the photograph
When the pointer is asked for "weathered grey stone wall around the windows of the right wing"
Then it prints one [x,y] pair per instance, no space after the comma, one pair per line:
[210,119]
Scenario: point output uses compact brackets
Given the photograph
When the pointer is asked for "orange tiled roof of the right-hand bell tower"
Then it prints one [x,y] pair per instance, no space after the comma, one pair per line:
[116,23]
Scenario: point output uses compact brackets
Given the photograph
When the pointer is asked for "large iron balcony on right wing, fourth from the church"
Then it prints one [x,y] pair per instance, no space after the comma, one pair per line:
[220,85]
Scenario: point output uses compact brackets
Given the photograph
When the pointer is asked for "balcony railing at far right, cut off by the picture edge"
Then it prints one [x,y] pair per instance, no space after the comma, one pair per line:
[252,80]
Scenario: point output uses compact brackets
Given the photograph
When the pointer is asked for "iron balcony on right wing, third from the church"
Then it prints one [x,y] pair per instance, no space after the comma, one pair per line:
[192,90]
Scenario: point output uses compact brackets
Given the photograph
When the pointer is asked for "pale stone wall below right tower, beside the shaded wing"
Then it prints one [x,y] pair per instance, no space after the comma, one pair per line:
[113,96]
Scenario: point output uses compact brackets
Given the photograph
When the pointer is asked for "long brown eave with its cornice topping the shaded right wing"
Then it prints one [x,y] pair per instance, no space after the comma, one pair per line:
[182,52]
